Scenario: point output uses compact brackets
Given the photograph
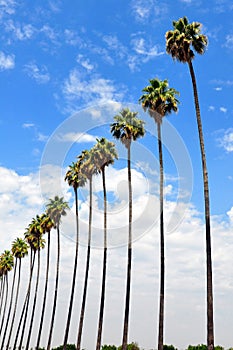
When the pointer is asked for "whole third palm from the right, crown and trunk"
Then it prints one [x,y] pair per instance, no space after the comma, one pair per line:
[127,128]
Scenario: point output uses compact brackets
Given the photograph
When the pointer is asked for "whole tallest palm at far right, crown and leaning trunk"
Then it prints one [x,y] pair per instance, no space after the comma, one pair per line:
[181,43]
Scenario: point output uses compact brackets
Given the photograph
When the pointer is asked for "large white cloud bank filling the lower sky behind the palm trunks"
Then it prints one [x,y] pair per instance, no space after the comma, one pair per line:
[185,260]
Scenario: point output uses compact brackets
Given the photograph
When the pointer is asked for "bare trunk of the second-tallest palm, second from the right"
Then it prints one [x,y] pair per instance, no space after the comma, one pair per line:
[162,264]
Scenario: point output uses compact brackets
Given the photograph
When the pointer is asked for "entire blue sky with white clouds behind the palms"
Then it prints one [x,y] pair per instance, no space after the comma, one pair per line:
[66,69]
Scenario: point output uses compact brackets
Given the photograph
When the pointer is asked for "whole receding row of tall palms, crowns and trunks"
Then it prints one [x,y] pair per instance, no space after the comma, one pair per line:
[158,100]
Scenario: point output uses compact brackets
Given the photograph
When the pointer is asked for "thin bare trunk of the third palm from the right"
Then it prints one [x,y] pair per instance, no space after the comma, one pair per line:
[128,284]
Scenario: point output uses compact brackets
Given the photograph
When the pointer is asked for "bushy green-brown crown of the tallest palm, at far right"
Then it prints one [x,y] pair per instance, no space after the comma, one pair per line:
[184,36]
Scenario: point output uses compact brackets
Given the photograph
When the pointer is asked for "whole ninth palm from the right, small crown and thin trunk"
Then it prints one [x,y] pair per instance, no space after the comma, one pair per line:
[35,230]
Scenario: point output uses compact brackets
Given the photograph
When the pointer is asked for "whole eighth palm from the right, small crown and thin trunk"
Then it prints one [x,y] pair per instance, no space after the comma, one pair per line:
[46,225]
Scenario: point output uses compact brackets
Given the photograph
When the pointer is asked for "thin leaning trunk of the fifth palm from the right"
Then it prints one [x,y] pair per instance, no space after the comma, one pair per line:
[87,271]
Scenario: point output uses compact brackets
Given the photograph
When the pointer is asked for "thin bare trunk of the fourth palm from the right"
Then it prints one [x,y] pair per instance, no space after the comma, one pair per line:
[101,314]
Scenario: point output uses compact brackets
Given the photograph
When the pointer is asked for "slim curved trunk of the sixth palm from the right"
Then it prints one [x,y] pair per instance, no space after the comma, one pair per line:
[74,271]
